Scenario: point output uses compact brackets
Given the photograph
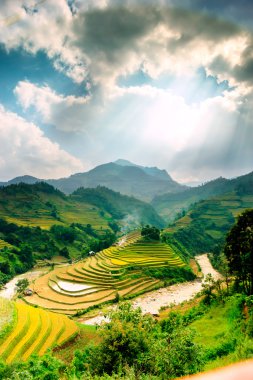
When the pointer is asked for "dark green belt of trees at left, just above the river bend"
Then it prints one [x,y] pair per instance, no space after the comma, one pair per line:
[32,243]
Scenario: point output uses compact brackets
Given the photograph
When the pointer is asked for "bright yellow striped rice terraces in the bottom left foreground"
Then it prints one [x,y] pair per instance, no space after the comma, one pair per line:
[33,331]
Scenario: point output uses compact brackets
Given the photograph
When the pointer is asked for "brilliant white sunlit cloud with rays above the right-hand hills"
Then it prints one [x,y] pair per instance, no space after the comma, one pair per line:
[192,141]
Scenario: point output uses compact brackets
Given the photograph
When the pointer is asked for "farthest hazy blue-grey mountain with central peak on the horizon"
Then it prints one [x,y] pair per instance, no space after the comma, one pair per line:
[123,176]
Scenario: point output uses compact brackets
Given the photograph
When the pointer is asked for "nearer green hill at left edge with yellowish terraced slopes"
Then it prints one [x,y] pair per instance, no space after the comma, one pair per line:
[42,205]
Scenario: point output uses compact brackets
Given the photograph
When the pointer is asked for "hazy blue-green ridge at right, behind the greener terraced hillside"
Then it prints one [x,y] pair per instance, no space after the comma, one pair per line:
[169,205]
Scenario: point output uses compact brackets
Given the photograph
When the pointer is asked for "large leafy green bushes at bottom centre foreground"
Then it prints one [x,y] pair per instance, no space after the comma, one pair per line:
[131,340]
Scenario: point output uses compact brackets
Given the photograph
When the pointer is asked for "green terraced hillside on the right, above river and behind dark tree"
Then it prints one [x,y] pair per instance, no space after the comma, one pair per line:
[204,227]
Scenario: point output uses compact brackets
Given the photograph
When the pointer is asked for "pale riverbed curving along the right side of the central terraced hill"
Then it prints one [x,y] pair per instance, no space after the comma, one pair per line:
[153,301]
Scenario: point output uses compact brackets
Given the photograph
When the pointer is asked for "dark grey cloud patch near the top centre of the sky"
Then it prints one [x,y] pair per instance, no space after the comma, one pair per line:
[110,31]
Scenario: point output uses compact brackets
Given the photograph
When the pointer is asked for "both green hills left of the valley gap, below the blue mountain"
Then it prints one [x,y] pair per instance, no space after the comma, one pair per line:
[42,205]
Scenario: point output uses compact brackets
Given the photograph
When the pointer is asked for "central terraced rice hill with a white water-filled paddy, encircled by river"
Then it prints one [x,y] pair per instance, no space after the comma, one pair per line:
[113,271]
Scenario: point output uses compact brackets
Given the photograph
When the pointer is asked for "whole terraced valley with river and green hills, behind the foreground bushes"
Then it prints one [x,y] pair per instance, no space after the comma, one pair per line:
[85,255]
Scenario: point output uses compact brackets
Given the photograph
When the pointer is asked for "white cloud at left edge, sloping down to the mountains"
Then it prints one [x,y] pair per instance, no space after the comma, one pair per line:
[25,150]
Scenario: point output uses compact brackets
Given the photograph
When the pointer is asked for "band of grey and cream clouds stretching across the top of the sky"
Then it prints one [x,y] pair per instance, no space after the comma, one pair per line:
[99,41]
